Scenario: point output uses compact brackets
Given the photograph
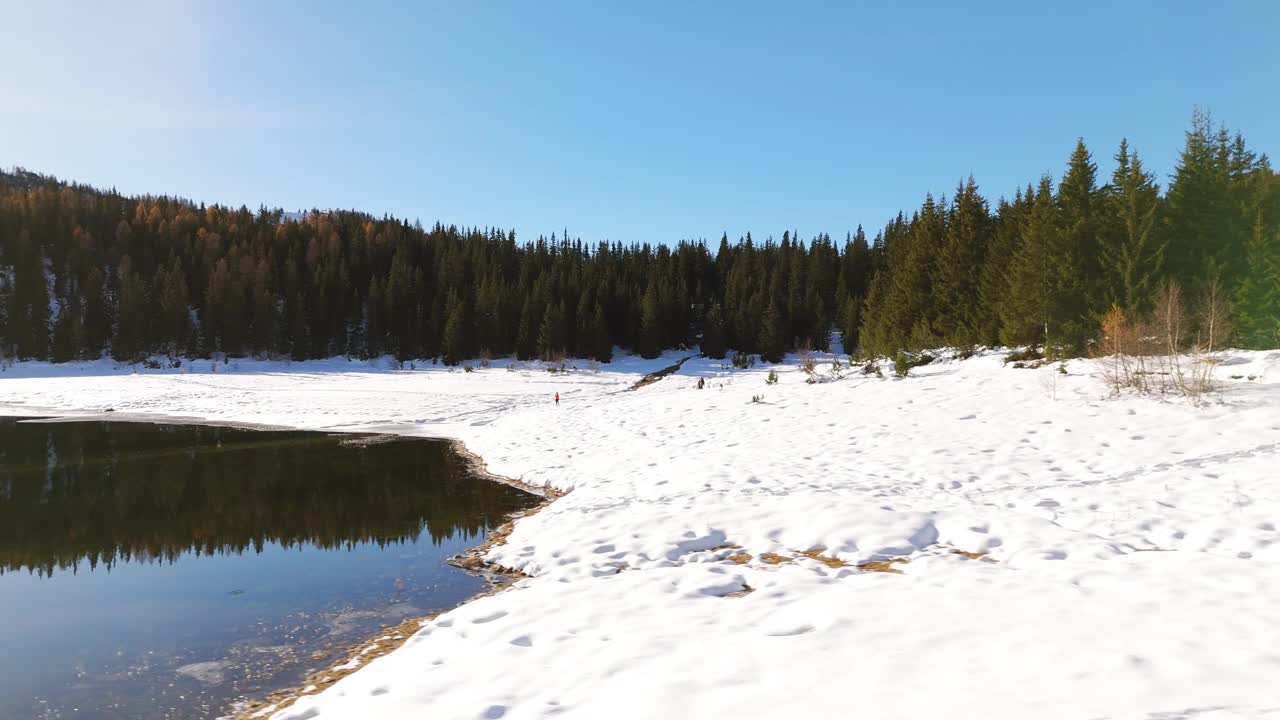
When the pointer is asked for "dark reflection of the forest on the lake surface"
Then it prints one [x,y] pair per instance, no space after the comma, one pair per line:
[98,494]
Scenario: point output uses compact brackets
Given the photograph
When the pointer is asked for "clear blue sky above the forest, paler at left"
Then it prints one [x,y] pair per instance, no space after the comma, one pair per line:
[632,122]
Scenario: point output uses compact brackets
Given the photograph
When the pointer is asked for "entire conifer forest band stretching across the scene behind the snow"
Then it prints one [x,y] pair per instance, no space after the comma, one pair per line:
[86,272]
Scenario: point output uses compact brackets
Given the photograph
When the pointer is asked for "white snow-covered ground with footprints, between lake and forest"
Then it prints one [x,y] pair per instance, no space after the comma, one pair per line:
[1131,550]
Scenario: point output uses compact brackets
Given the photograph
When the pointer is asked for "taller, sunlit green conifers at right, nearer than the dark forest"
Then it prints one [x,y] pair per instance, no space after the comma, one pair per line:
[1046,267]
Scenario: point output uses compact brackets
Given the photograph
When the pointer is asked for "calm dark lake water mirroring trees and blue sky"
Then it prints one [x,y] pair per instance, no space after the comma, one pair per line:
[168,571]
